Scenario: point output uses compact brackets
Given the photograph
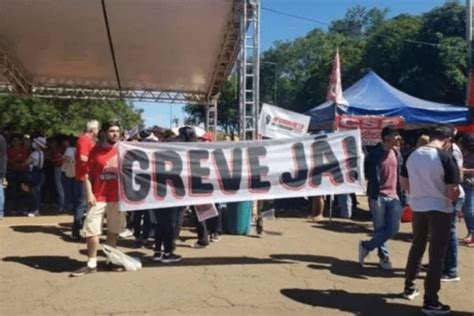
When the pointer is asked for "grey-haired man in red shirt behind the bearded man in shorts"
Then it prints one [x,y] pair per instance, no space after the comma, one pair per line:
[84,145]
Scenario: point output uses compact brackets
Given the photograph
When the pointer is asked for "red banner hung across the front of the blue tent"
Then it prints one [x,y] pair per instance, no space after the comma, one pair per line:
[370,126]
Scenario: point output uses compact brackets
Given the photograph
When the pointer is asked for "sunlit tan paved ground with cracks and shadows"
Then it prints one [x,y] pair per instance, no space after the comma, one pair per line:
[296,268]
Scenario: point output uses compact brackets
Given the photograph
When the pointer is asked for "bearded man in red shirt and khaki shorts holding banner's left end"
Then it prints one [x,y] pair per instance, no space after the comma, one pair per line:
[101,185]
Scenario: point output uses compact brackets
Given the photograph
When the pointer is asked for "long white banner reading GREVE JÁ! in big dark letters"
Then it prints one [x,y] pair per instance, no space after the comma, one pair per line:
[157,175]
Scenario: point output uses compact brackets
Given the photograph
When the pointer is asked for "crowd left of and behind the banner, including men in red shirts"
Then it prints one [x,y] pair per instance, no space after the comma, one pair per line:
[84,178]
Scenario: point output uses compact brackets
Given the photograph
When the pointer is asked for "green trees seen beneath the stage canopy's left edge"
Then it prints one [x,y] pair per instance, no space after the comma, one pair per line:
[53,116]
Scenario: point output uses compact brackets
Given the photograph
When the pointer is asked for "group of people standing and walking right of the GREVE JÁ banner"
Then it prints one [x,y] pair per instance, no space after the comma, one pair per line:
[436,181]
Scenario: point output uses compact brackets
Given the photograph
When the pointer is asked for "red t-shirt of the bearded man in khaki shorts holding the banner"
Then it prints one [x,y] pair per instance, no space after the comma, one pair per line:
[103,173]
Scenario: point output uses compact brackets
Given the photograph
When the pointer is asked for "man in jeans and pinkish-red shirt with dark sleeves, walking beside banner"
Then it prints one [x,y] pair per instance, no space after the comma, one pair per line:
[382,170]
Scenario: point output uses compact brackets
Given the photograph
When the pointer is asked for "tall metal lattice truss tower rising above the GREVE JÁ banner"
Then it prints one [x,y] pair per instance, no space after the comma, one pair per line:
[249,69]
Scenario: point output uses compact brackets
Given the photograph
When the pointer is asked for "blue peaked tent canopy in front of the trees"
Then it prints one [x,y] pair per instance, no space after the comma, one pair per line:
[371,95]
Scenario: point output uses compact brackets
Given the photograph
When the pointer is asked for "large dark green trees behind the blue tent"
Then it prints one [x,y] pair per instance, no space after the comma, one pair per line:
[394,48]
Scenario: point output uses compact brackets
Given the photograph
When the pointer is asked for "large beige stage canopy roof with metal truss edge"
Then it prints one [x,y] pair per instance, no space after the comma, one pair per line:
[161,50]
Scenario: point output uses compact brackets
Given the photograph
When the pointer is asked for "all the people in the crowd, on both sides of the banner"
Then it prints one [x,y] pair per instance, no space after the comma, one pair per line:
[435,179]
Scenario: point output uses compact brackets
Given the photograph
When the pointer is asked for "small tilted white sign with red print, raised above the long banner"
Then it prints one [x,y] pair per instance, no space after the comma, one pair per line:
[278,123]
